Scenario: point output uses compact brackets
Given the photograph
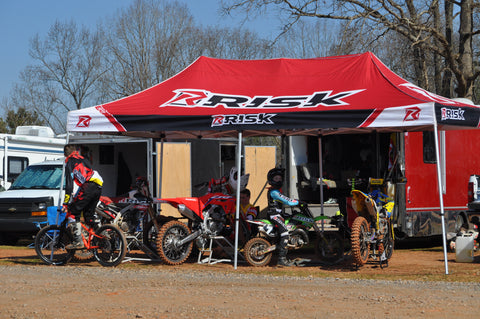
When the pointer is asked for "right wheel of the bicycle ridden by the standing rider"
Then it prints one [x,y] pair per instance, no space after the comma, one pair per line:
[110,245]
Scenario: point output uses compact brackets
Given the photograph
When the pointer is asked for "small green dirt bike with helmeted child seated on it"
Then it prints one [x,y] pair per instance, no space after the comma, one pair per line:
[258,250]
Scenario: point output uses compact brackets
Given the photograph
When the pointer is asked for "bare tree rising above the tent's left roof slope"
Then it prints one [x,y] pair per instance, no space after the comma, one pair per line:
[145,44]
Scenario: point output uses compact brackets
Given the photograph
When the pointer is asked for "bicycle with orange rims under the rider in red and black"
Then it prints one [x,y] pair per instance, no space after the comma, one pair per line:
[107,243]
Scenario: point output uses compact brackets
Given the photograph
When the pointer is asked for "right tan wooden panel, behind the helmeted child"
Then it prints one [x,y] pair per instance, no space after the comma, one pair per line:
[258,161]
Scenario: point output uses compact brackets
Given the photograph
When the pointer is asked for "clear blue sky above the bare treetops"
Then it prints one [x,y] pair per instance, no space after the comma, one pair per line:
[20,20]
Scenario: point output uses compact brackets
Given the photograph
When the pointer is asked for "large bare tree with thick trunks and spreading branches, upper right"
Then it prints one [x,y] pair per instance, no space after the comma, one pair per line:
[426,25]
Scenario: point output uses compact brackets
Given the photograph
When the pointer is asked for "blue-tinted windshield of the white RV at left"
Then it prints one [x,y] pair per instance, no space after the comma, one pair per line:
[39,177]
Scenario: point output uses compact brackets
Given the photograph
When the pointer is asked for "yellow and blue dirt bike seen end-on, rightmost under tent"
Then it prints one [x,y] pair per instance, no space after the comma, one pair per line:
[372,231]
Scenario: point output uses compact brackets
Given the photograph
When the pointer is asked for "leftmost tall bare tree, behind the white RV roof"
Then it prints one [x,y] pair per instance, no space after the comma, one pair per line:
[68,63]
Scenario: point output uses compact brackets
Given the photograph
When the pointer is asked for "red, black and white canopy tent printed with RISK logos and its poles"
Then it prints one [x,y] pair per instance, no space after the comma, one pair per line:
[218,98]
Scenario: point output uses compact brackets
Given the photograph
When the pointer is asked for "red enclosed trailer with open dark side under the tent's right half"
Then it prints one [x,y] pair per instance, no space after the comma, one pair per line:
[405,160]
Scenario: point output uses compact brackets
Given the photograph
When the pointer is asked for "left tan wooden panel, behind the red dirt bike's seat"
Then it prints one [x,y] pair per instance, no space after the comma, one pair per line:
[175,174]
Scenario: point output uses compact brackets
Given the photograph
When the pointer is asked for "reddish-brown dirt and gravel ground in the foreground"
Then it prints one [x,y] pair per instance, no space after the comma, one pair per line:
[413,285]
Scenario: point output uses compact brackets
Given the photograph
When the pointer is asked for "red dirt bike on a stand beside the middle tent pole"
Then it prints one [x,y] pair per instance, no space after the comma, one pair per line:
[208,216]
